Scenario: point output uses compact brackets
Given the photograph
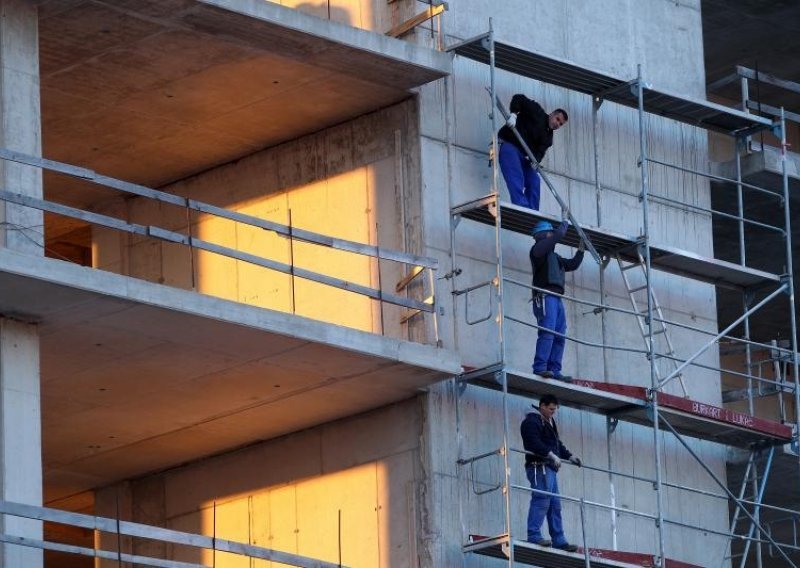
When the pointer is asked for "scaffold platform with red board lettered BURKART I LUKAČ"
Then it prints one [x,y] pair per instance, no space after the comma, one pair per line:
[630,404]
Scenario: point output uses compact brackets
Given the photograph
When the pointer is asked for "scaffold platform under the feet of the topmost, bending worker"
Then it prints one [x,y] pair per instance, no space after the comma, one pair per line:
[683,263]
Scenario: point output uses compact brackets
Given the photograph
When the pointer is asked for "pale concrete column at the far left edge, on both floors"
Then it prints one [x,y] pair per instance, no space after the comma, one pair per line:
[21,229]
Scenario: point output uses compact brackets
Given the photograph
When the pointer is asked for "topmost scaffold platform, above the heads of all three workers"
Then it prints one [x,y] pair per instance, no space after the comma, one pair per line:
[551,70]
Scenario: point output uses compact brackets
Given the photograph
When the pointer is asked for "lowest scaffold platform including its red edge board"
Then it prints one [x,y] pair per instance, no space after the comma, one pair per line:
[534,555]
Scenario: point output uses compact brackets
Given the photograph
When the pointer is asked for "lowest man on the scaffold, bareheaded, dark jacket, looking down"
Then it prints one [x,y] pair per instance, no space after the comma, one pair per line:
[544,453]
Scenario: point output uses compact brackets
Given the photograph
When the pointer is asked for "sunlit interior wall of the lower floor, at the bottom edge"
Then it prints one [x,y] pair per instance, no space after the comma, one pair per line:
[291,494]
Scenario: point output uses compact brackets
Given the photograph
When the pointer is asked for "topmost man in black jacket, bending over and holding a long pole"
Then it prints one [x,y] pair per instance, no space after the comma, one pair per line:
[536,127]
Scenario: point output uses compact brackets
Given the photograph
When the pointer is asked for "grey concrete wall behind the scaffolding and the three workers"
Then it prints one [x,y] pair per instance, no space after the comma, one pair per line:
[612,37]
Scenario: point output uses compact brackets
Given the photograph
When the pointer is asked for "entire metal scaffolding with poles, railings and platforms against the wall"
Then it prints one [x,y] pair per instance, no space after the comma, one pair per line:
[641,405]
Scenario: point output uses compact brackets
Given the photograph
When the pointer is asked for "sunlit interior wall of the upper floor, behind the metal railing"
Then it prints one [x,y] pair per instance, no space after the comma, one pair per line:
[355,181]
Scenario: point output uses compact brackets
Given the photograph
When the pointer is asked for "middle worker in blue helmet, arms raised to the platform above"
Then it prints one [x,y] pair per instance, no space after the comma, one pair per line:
[549,270]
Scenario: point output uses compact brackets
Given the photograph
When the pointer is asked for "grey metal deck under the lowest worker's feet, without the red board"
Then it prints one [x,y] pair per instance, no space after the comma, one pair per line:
[534,555]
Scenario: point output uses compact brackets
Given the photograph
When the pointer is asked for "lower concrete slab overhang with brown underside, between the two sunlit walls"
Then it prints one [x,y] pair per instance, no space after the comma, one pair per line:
[138,377]
